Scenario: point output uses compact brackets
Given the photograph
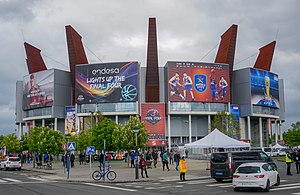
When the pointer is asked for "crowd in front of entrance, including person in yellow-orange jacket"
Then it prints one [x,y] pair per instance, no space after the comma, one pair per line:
[167,158]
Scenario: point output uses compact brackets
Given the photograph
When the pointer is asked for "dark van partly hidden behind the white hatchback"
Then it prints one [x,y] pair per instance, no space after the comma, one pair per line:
[224,164]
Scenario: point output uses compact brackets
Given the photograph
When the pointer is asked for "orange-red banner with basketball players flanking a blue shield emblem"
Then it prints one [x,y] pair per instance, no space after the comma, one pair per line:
[200,82]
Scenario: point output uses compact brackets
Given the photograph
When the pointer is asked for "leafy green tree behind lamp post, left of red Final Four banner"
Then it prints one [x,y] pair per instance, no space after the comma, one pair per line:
[124,137]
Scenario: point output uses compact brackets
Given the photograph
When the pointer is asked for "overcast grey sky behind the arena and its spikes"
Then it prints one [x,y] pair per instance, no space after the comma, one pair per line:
[117,31]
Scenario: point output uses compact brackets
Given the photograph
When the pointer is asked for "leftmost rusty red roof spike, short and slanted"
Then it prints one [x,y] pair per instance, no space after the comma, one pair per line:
[35,62]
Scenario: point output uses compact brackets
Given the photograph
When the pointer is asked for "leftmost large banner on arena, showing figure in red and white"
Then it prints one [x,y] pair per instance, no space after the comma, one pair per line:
[38,89]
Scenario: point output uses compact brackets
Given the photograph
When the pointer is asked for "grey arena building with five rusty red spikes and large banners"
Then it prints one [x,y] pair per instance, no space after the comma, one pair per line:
[177,101]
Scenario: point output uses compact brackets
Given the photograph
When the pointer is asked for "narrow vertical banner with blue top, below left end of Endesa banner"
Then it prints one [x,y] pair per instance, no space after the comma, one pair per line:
[70,121]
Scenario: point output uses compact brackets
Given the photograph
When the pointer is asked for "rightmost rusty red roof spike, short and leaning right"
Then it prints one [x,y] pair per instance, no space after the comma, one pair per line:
[265,56]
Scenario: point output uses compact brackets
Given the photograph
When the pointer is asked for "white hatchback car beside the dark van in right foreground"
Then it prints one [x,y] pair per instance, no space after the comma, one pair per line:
[255,176]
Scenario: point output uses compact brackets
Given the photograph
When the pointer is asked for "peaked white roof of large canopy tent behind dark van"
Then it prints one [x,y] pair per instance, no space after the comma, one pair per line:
[217,139]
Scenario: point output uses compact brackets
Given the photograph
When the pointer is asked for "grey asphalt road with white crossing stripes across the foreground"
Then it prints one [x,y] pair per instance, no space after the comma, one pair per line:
[26,183]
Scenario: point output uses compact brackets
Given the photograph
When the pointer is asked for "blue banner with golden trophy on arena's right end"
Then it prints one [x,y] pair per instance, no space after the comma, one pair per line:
[264,88]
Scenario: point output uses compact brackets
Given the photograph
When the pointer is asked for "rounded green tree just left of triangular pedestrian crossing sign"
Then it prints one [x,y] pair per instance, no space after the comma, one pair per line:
[45,140]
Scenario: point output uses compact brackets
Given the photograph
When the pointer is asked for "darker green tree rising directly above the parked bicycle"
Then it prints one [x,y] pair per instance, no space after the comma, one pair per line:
[101,131]
